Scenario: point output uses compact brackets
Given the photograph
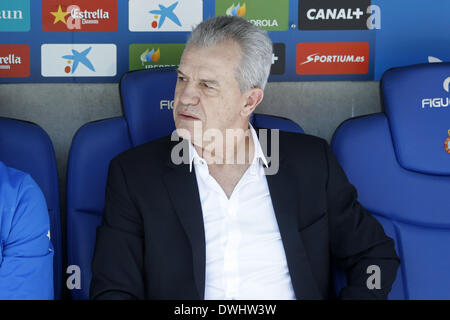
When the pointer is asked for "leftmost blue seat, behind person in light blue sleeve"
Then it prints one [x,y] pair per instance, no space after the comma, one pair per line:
[27,147]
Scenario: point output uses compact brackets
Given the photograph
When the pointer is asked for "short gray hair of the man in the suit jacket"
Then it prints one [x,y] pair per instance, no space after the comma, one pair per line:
[256,47]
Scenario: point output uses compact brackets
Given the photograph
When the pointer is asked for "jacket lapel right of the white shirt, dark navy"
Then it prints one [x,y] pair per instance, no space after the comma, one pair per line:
[285,199]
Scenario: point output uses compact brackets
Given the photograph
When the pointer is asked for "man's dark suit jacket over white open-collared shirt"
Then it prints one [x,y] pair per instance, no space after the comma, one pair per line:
[151,242]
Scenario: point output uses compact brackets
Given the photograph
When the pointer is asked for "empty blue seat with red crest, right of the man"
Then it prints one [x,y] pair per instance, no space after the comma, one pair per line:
[398,162]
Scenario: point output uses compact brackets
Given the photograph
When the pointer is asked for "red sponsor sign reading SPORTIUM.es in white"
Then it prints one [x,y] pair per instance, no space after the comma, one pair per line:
[332,58]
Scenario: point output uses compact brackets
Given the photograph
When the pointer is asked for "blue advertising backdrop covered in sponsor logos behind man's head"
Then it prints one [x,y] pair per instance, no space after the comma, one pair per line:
[314,40]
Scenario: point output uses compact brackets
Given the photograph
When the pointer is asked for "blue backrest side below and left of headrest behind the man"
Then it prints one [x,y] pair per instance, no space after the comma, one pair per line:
[93,147]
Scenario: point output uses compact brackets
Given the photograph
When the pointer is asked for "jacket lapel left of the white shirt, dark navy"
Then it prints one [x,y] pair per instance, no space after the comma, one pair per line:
[183,190]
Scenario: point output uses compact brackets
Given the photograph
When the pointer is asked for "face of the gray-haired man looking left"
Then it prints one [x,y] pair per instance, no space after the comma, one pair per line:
[207,91]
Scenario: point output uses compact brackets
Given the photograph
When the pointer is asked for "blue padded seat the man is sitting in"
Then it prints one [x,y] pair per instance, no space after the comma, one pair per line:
[146,96]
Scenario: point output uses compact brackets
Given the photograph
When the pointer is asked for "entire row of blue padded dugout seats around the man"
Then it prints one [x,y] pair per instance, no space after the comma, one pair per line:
[397,160]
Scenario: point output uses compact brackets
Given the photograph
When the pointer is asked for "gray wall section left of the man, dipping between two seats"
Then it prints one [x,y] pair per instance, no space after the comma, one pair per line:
[60,109]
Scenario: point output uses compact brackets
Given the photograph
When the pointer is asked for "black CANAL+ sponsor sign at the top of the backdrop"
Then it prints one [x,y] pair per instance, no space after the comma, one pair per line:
[338,15]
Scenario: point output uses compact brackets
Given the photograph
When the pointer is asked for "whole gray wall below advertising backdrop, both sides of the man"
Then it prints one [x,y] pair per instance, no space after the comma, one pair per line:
[61,109]
